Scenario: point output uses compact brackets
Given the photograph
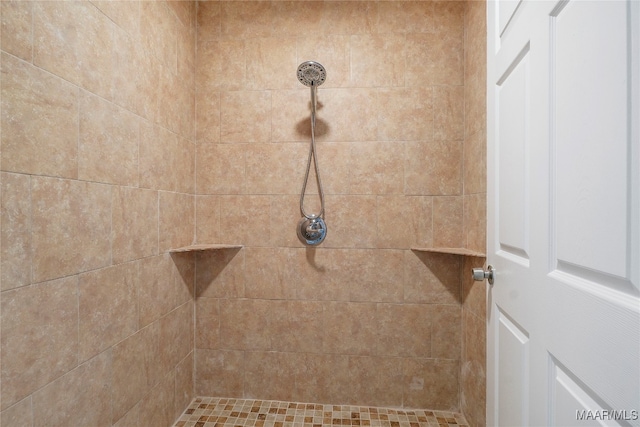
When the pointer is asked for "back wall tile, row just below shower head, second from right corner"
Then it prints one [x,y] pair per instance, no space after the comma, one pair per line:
[407,114]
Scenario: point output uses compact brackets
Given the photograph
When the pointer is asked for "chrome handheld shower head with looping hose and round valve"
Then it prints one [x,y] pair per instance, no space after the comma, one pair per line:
[312,229]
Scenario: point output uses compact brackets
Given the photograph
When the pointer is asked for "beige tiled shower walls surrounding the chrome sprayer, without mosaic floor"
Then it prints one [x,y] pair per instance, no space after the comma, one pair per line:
[130,128]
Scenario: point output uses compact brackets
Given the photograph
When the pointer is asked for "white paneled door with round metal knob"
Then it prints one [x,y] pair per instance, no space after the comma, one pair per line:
[563,209]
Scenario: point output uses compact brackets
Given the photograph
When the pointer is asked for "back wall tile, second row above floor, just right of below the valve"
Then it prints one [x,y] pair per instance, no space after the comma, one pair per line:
[350,328]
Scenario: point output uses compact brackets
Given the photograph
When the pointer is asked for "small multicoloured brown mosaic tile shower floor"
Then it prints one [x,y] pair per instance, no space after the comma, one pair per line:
[220,412]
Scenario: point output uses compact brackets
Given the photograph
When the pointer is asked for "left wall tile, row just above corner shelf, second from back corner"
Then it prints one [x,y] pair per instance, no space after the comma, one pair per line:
[134,224]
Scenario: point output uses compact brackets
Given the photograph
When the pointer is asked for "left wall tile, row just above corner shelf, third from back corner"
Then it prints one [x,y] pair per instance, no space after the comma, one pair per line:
[71,227]
